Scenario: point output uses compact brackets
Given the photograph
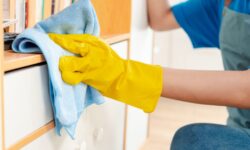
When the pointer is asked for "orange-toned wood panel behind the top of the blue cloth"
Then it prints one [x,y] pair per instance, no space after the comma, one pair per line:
[114,16]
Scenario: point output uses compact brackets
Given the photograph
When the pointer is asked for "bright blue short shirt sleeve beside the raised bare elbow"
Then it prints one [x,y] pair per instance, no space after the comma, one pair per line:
[201,20]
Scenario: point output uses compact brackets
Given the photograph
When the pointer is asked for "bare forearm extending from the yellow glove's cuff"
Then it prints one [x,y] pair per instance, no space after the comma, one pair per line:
[227,88]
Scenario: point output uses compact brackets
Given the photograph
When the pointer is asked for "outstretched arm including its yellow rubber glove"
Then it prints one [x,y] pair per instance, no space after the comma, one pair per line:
[140,84]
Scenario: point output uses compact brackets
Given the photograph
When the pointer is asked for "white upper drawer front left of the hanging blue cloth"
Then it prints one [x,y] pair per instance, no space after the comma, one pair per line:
[27,104]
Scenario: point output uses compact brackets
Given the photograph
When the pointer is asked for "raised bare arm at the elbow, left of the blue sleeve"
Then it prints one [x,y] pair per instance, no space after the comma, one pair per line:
[160,15]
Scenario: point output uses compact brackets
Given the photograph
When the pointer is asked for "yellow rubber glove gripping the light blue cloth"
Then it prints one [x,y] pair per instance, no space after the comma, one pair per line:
[97,65]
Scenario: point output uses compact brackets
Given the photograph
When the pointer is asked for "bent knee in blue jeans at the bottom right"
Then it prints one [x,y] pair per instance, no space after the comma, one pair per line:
[210,137]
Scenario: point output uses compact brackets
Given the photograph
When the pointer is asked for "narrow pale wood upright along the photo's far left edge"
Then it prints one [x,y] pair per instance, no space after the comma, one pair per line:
[2,145]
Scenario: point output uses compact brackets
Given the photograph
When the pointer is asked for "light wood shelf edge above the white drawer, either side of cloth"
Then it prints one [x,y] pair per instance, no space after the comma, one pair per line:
[14,60]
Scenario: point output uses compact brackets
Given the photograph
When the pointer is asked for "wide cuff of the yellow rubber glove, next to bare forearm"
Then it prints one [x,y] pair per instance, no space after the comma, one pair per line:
[140,85]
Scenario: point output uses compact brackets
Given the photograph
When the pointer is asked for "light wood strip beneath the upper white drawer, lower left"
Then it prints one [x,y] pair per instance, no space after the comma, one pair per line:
[33,136]
